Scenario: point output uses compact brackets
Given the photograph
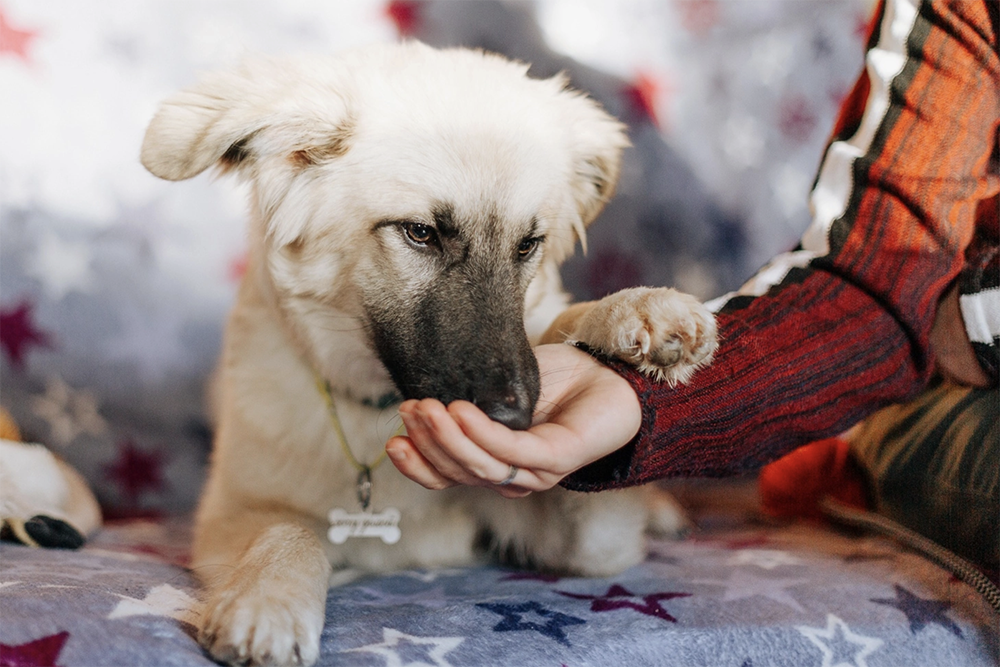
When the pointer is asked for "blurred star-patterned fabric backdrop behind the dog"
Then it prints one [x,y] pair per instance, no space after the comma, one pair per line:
[114,286]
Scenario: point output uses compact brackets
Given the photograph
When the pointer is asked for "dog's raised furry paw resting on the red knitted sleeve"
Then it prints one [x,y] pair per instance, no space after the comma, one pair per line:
[664,333]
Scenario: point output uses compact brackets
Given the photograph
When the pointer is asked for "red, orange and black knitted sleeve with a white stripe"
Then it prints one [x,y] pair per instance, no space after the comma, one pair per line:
[838,328]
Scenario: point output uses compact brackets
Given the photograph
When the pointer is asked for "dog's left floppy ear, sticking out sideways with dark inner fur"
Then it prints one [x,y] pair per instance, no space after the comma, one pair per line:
[235,118]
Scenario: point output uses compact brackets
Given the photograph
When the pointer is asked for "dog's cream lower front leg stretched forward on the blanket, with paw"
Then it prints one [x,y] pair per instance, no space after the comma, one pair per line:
[266,604]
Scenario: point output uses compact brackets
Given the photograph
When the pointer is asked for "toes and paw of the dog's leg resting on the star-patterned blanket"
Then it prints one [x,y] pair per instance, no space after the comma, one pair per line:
[261,630]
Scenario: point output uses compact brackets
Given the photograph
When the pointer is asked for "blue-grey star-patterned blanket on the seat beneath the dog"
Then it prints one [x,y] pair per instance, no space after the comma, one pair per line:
[736,594]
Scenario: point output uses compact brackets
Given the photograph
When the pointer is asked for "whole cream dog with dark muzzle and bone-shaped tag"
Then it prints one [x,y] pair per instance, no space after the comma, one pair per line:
[409,211]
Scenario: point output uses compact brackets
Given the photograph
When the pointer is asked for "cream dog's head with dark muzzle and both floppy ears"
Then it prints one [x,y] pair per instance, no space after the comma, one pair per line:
[427,195]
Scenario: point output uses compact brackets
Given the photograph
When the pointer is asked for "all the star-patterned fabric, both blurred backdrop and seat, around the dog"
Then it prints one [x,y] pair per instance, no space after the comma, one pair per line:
[114,287]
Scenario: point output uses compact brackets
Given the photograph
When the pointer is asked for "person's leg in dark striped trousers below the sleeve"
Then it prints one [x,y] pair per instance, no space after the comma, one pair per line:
[934,466]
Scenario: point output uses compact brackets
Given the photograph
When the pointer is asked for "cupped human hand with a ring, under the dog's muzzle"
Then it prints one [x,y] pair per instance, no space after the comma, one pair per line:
[585,412]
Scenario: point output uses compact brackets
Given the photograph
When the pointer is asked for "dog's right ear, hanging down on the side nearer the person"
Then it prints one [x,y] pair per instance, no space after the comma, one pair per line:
[597,143]
